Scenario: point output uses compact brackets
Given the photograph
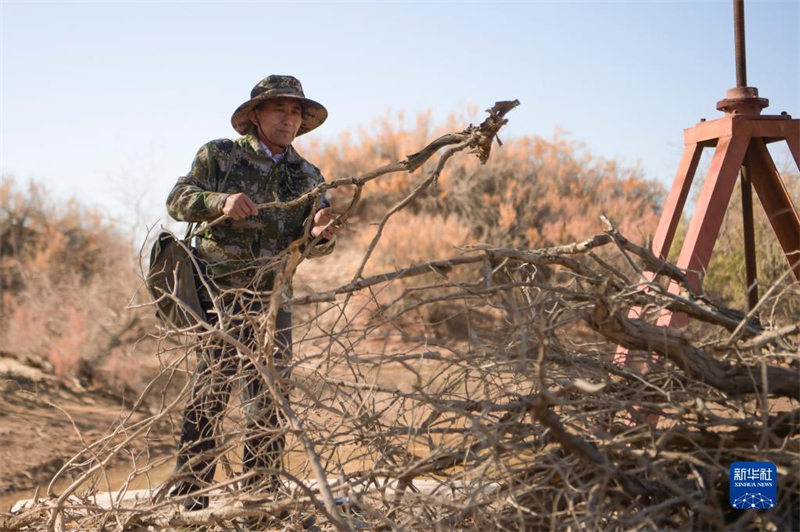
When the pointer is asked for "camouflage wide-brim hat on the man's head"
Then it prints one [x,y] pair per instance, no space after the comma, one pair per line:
[275,86]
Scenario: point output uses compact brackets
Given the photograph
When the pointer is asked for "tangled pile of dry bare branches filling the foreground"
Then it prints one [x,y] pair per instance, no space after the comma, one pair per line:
[479,392]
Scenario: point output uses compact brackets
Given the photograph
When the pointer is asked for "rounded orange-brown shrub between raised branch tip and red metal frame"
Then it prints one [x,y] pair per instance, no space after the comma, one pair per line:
[539,192]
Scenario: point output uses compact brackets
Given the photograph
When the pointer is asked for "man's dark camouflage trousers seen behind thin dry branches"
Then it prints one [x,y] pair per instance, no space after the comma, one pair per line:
[219,369]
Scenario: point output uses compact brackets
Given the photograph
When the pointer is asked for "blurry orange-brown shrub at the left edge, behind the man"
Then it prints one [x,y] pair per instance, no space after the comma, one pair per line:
[67,276]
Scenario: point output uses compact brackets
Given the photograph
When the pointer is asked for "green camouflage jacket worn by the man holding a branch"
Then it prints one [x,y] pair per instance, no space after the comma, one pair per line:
[239,253]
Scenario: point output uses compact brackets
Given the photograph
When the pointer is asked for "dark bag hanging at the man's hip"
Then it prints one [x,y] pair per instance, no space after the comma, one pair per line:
[172,275]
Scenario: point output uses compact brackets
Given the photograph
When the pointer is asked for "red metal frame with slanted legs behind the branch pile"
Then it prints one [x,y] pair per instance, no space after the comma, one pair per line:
[740,140]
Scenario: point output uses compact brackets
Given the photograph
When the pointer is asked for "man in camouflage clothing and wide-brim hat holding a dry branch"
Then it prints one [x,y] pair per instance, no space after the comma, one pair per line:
[241,257]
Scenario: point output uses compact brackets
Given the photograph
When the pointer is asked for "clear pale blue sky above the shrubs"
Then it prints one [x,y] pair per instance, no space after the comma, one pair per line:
[107,102]
